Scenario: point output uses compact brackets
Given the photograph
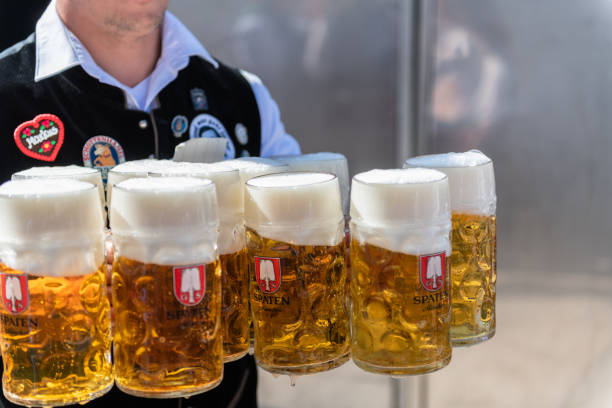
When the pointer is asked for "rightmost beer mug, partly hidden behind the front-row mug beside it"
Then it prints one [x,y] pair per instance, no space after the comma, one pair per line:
[474,240]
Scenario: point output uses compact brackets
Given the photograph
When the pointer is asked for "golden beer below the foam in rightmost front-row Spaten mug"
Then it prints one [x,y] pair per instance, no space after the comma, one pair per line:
[399,327]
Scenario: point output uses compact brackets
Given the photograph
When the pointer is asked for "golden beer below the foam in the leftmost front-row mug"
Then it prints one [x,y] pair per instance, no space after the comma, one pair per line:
[58,351]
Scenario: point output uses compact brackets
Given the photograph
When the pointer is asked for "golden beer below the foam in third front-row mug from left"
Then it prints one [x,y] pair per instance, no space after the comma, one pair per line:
[303,327]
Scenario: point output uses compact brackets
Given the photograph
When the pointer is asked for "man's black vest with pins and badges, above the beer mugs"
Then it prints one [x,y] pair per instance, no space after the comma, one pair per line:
[219,100]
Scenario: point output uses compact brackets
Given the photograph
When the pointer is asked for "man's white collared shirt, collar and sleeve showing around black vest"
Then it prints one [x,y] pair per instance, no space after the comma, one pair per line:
[58,49]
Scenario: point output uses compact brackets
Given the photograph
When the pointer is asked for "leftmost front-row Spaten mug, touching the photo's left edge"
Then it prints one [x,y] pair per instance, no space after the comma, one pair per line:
[55,316]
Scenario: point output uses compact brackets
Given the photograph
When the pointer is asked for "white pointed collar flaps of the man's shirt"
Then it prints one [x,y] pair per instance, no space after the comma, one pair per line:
[58,50]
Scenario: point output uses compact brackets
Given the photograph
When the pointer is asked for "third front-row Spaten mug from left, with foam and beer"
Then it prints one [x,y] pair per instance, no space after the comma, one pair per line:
[295,248]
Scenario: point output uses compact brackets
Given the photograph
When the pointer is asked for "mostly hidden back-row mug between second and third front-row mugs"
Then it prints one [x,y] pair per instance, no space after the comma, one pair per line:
[235,316]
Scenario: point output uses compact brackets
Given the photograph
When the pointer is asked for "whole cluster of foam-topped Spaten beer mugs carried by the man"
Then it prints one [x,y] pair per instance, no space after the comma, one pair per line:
[202,252]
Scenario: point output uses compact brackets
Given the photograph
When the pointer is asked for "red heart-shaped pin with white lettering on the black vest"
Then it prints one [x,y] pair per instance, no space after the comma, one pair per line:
[40,138]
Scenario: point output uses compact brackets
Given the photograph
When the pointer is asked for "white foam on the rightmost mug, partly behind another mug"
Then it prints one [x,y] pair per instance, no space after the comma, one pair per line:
[471,179]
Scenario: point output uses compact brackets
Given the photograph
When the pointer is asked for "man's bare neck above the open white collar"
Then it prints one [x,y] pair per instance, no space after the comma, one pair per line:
[130,58]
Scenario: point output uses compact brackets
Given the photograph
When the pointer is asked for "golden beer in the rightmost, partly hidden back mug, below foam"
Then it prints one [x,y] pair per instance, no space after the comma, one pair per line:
[473,277]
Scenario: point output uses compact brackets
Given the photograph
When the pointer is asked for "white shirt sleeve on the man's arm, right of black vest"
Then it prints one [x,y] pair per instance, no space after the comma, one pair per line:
[274,140]
